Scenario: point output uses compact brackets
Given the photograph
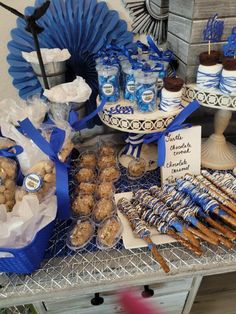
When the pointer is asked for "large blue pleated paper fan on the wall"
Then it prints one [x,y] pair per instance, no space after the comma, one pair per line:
[81,26]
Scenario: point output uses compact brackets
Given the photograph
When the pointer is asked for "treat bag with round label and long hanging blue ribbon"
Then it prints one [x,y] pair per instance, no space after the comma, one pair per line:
[50,170]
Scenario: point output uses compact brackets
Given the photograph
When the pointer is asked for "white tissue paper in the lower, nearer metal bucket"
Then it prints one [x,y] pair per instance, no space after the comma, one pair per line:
[77,91]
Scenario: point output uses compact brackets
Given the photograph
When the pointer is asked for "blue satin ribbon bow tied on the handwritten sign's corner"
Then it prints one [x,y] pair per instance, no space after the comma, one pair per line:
[175,125]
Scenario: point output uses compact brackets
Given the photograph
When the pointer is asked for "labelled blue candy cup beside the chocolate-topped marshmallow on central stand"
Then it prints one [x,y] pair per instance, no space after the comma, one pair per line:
[146,91]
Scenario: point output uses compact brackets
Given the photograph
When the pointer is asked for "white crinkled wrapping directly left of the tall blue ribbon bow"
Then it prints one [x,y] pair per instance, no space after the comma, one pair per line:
[31,154]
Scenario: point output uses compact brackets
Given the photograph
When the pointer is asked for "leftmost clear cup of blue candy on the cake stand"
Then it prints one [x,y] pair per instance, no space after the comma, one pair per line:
[108,80]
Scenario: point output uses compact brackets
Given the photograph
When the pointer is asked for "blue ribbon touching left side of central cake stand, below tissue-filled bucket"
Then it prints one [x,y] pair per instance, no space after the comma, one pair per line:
[78,125]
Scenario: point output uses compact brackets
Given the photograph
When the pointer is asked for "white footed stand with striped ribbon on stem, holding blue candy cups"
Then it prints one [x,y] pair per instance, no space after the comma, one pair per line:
[137,124]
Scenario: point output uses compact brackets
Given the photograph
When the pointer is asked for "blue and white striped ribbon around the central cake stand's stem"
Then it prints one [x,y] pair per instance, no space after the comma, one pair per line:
[133,147]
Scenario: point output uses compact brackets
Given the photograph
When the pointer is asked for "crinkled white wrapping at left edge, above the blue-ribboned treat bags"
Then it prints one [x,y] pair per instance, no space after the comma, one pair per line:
[12,112]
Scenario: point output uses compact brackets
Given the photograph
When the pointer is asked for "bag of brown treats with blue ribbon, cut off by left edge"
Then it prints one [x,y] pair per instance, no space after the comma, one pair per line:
[8,172]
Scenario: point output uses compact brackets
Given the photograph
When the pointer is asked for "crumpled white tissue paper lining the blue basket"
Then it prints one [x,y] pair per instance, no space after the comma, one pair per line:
[19,227]
